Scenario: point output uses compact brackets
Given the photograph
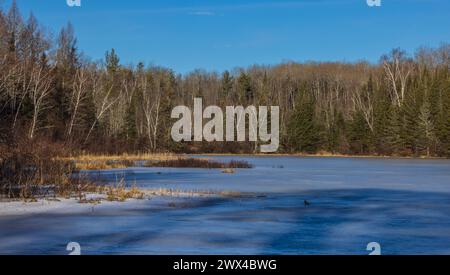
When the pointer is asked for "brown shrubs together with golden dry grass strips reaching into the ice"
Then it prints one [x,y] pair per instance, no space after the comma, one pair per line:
[37,169]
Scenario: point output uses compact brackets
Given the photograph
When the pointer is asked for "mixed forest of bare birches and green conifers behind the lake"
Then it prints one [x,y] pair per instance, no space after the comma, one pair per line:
[49,90]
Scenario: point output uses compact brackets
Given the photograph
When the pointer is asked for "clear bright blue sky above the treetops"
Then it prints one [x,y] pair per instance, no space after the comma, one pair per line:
[222,34]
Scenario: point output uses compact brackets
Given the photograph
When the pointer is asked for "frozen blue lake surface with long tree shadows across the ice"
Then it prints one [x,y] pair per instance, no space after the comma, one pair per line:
[402,204]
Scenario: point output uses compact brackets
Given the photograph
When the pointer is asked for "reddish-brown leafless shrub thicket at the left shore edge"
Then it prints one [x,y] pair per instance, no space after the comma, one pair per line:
[29,169]
